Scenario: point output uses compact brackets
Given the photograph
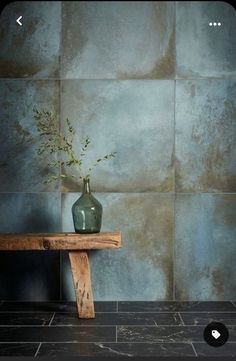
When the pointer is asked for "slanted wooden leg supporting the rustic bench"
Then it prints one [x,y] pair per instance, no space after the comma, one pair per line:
[82,283]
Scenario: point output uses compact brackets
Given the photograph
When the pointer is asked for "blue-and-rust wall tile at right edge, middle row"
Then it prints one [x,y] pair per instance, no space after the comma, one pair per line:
[205,144]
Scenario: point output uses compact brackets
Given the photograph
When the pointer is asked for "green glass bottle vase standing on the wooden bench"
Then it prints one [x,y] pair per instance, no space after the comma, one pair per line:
[87,212]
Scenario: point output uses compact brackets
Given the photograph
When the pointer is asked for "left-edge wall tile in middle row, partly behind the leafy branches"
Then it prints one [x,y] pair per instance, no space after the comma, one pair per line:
[21,168]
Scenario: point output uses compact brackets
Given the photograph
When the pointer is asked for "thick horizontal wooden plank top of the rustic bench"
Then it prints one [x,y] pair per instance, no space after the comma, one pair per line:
[59,241]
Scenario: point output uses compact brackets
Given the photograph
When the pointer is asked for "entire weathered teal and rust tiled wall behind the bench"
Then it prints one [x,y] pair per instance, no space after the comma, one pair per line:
[152,81]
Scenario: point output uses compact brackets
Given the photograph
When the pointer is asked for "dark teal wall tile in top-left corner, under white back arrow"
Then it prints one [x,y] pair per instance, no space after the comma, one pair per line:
[33,49]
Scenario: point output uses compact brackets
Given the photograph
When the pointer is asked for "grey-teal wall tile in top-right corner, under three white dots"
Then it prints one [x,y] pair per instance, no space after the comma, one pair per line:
[203,50]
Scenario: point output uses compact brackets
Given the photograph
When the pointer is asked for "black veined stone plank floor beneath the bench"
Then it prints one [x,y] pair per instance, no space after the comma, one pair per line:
[120,328]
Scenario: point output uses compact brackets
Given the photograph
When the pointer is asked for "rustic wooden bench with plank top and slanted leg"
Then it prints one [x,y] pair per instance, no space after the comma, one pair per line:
[77,245]
